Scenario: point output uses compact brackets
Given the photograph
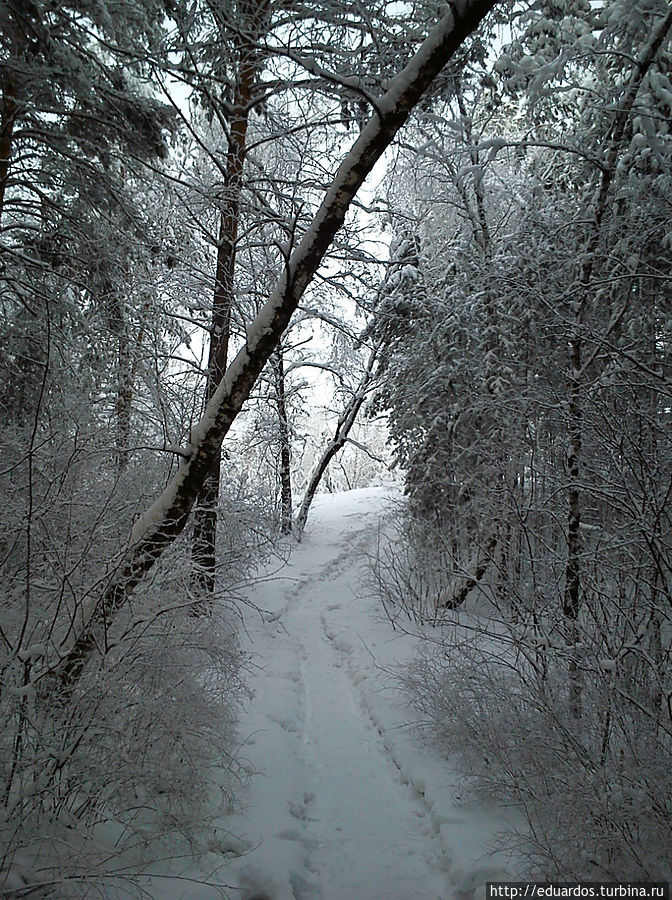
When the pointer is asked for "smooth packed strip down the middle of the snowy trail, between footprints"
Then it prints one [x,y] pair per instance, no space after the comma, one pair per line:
[366,821]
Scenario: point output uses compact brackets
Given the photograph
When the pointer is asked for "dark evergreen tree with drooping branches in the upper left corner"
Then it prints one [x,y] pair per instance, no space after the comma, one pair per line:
[77,126]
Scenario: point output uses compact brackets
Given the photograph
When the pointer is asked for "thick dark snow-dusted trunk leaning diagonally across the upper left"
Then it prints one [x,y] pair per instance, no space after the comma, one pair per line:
[157,528]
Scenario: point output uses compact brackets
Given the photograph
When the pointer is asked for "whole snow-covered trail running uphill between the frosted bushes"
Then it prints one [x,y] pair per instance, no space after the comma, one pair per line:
[345,803]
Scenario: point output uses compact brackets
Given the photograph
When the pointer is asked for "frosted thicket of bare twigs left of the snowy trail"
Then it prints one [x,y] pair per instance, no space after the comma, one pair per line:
[139,754]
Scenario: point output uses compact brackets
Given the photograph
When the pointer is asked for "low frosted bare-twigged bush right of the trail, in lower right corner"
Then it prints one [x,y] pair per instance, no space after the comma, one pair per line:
[596,796]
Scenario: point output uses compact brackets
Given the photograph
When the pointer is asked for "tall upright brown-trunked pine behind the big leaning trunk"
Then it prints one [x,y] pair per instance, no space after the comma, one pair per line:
[248,65]
